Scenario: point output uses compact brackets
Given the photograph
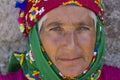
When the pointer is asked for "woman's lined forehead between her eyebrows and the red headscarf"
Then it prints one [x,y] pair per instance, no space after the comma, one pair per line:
[69,14]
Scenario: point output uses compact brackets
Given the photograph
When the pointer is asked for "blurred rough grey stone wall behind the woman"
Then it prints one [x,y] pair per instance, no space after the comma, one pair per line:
[12,40]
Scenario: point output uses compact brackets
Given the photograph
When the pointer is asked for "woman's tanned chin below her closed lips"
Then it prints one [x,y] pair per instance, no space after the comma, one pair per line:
[72,68]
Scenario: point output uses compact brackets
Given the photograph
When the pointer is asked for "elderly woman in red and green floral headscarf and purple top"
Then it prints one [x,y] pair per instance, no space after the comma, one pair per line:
[65,42]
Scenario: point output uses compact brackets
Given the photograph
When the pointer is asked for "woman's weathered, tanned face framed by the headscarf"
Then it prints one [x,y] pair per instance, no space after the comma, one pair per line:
[68,36]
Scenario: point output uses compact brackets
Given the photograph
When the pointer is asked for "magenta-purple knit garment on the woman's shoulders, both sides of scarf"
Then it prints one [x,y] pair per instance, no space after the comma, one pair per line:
[108,73]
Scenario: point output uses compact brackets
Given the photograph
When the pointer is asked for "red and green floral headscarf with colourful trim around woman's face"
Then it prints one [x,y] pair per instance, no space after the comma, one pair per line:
[34,61]
